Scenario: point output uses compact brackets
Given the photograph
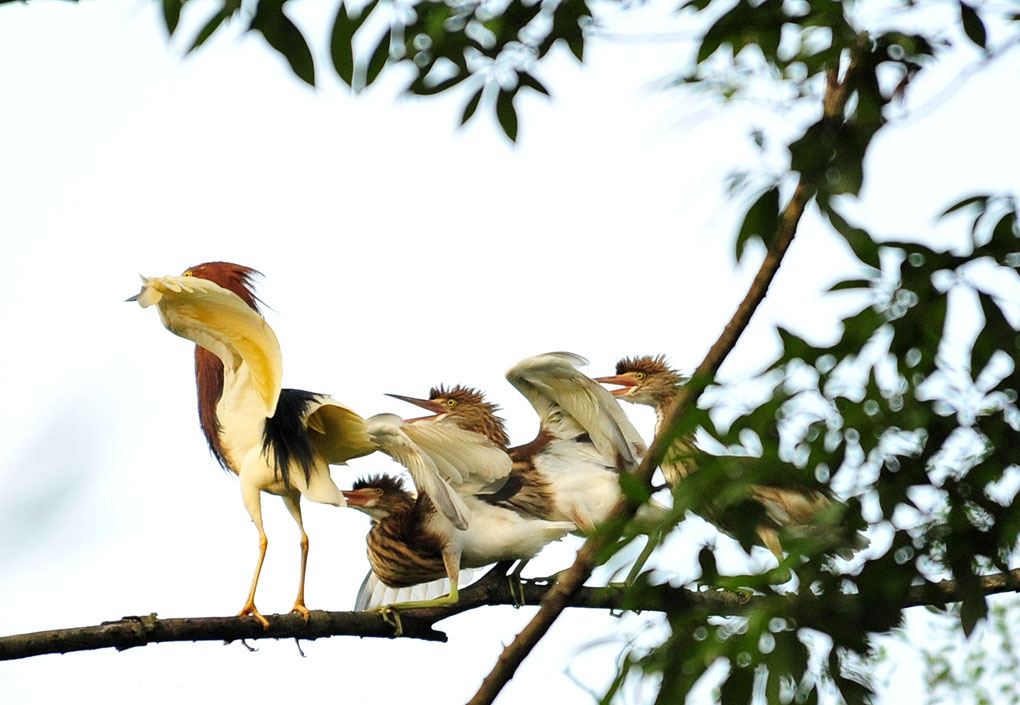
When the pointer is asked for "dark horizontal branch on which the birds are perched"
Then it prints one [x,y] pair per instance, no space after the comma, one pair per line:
[493,590]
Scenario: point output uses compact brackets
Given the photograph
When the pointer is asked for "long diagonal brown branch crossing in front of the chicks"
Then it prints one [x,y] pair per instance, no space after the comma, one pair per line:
[834,107]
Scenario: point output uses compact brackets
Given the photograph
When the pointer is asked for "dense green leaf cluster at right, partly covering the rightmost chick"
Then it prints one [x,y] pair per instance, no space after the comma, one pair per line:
[917,428]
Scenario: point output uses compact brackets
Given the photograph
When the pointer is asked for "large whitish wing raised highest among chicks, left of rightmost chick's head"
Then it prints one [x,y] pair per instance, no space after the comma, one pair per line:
[570,404]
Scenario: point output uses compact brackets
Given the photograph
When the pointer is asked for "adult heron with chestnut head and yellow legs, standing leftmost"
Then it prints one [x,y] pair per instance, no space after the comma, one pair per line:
[280,441]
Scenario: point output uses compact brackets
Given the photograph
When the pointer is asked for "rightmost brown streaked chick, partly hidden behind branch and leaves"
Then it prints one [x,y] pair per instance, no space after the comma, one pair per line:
[650,381]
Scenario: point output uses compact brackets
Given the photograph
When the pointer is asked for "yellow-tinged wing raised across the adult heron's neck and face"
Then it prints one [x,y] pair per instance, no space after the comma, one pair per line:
[219,321]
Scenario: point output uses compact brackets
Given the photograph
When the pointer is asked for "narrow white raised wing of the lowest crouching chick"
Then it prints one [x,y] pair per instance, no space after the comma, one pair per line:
[388,432]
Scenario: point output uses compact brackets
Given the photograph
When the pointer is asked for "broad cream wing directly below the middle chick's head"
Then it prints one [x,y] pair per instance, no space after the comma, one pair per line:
[471,462]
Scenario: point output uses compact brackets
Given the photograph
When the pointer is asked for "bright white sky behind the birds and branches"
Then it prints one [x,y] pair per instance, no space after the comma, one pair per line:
[398,253]
